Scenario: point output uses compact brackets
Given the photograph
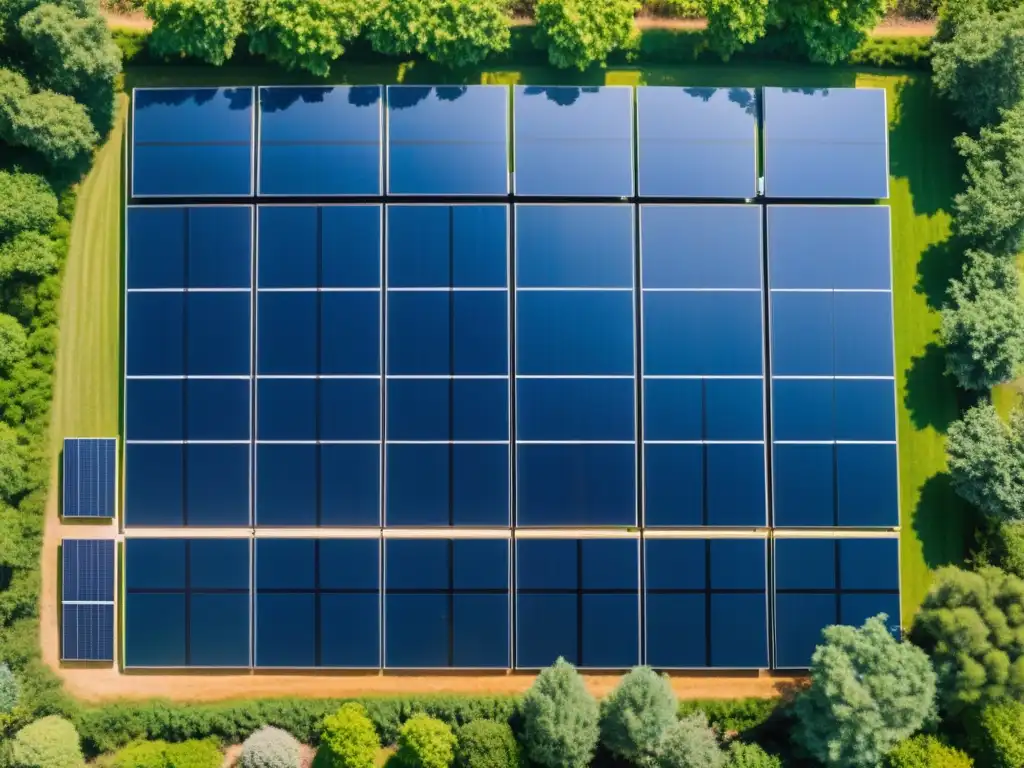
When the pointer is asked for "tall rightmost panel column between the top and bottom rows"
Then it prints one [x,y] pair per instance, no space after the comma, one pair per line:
[833,387]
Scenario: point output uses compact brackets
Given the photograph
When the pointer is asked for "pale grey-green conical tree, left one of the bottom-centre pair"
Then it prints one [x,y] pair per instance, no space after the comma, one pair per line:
[561,719]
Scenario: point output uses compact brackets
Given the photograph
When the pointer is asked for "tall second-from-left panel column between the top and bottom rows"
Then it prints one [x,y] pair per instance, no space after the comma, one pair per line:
[319,370]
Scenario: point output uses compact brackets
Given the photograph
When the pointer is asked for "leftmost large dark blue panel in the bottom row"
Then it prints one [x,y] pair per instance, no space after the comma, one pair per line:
[188,603]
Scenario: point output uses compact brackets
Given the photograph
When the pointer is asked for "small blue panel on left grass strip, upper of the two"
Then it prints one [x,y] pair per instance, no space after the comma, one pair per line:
[91,467]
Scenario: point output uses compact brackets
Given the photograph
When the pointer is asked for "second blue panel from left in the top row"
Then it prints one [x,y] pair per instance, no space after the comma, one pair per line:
[320,141]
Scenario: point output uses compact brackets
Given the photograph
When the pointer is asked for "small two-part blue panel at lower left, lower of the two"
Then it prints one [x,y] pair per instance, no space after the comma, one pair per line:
[88,601]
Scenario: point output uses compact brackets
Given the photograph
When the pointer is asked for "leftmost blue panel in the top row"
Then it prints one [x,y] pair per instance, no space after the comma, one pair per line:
[193,142]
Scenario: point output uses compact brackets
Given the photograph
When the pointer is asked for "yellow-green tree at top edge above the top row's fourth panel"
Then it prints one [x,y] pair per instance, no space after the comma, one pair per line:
[580,33]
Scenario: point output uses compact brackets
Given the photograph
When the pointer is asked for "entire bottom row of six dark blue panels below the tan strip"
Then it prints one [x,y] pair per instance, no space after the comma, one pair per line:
[448,603]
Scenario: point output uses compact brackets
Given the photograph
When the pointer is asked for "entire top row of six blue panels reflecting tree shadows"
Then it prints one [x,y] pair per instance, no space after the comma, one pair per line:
[569,142]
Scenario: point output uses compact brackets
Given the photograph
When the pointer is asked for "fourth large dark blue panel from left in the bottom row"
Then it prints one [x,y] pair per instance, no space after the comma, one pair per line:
[579,600]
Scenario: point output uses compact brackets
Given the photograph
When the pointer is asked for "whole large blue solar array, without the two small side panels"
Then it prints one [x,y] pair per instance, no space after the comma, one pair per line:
[559,379]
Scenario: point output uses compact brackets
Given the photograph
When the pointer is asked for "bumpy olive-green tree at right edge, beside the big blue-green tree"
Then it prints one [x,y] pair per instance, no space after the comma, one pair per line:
[969,624]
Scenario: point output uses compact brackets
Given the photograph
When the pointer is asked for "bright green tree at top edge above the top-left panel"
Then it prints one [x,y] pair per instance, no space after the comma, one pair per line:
[206,30]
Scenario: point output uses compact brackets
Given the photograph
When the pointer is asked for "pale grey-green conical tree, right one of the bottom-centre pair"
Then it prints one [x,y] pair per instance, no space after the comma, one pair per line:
[636,715]
